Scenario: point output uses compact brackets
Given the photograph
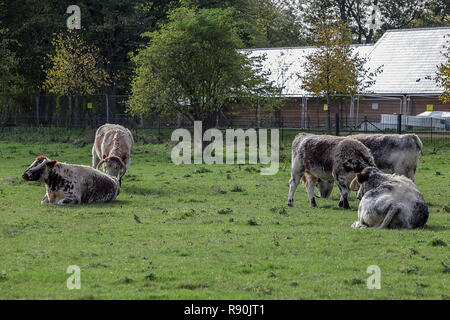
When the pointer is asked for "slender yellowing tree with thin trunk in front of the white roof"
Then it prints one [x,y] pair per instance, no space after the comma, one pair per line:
[334,68]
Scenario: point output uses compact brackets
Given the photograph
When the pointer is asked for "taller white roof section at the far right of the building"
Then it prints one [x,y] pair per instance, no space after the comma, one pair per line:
[408,56]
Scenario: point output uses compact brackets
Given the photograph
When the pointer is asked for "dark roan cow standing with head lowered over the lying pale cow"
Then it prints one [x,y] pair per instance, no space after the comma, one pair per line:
[327,158]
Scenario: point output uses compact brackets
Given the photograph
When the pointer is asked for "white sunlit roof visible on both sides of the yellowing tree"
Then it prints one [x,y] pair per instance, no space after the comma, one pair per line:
[406,56]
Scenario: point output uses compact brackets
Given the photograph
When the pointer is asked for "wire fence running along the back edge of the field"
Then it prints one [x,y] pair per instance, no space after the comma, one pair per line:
[345,115]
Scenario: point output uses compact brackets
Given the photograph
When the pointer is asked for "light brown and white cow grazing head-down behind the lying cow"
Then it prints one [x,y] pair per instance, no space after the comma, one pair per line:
[112,149]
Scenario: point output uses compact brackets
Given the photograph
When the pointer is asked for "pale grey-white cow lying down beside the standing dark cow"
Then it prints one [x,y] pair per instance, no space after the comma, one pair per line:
[389,201]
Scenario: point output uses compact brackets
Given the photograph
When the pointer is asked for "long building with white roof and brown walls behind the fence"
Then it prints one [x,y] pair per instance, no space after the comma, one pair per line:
[407,57]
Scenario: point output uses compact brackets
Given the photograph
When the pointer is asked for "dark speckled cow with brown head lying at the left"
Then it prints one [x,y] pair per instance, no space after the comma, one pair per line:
[69,183]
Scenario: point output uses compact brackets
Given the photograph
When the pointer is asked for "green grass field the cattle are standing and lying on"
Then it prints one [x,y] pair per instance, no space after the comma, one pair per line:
[207,232]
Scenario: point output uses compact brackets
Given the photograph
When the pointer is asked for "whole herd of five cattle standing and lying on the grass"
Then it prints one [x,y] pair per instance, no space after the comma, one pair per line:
[380,167]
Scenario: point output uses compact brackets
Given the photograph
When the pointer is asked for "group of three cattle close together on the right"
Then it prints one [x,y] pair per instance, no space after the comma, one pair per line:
[381,167]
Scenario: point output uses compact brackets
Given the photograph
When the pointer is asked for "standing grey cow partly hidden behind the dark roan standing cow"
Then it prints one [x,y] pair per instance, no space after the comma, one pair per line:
[393,153]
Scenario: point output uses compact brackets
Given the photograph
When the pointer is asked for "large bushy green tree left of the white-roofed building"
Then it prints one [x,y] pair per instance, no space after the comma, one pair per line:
[192,66]
